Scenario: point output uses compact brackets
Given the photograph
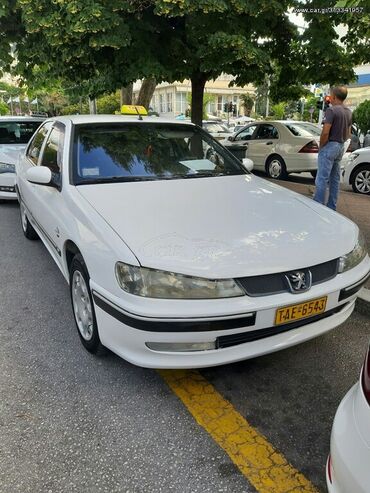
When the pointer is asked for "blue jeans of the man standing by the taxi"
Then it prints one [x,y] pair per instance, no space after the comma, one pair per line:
[328,173]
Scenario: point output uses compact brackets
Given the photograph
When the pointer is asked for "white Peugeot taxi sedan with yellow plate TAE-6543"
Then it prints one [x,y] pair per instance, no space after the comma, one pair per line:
[174,260]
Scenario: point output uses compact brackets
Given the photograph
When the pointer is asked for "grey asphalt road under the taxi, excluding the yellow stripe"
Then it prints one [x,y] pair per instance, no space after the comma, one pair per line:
[71,422]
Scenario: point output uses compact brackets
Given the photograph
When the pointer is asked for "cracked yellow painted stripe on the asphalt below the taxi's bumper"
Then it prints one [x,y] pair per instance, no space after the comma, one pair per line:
[264,467]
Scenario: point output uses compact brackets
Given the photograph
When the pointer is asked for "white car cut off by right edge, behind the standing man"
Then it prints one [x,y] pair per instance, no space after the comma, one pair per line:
[356,171]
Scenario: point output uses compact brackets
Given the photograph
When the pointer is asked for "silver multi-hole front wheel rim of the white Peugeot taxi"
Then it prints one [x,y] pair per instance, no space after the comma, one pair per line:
[82,306]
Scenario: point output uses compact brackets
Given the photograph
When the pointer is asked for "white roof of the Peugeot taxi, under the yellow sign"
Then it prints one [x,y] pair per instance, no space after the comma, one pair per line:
[80,119]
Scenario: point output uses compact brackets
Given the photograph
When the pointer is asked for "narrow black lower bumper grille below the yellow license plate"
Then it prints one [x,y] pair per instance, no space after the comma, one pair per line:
[255,335]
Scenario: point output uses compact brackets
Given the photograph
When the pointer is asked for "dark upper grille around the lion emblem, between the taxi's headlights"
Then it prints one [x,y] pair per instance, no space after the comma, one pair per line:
[276,283]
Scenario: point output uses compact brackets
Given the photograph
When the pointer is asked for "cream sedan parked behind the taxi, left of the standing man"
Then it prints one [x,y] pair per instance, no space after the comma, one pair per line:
[277,147]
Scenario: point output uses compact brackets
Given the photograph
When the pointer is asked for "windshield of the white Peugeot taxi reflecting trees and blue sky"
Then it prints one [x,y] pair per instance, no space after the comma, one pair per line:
[147,151]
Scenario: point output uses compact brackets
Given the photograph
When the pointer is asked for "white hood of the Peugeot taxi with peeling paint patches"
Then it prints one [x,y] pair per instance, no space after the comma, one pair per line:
[222,226]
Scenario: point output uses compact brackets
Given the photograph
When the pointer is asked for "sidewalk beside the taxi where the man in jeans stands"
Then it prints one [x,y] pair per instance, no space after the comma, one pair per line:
[352,205]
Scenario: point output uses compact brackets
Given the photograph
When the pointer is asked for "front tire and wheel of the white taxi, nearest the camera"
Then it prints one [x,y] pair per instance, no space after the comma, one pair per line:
[83,306]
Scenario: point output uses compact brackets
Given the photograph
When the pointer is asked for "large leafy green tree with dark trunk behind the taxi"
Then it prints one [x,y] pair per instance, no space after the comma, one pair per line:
[100,45]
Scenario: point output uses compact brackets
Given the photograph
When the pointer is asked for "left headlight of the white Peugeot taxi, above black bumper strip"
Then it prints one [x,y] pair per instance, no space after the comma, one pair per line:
[153,283]
